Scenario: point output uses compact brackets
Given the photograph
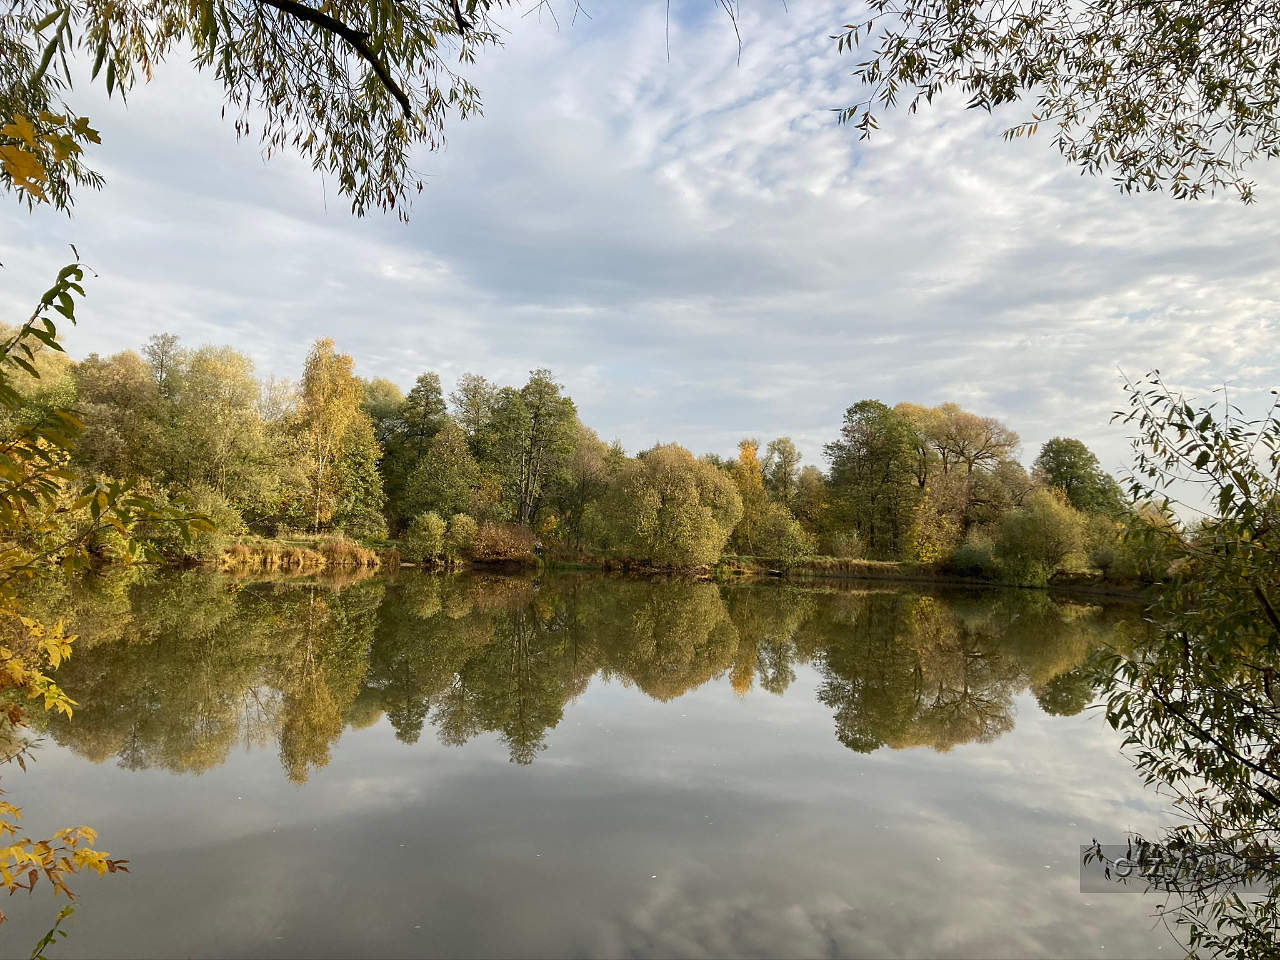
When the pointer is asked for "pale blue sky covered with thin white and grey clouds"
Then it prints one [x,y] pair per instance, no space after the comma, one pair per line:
[693,246]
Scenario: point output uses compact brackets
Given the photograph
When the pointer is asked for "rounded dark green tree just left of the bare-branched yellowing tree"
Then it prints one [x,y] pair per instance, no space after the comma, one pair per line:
[874,479]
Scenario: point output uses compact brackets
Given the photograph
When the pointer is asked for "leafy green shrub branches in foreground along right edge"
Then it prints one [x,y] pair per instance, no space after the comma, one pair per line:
[1199,702]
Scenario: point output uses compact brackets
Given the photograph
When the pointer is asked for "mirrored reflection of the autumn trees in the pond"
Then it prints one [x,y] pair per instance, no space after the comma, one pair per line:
[175,671]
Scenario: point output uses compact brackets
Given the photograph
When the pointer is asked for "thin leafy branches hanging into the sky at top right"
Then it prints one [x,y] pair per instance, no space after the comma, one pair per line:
[1180,97]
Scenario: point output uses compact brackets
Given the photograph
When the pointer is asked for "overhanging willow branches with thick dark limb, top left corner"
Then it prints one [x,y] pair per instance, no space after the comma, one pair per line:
[353,89]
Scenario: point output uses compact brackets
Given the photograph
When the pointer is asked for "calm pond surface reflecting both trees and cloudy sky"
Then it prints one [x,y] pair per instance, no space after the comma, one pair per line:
[579,766]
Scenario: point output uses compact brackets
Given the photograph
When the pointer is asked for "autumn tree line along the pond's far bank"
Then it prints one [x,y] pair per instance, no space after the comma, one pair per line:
[501,473]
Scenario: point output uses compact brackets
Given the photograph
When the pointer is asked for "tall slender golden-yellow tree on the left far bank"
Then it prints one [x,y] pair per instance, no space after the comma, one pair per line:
[331,404]
